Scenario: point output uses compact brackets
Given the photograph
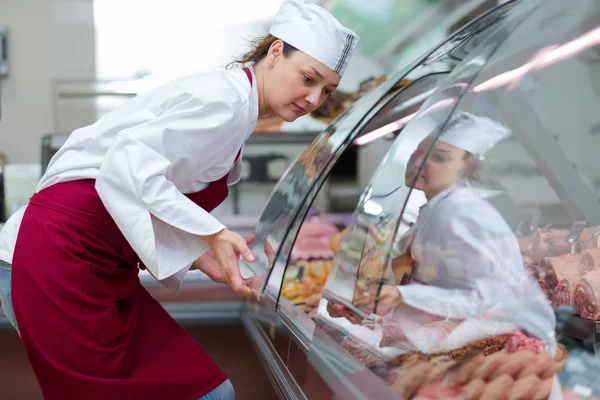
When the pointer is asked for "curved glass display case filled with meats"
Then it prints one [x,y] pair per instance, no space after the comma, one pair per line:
[478,223]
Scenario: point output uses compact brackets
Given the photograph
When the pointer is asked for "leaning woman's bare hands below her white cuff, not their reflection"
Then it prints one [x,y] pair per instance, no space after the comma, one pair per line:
[226,247]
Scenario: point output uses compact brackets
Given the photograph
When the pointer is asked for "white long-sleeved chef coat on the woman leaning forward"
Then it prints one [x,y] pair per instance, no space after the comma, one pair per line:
[145,154]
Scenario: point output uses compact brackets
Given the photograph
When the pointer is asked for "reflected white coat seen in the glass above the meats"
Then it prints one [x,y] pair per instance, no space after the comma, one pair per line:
[469,263]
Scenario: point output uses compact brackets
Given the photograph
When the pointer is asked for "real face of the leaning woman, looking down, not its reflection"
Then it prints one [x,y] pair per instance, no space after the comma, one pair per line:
[297,84]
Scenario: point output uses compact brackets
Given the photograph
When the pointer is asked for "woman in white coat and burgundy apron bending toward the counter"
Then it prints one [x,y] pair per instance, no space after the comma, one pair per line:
[135,189]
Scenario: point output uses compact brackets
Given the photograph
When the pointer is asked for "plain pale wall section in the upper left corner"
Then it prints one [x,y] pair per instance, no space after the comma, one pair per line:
[47,40]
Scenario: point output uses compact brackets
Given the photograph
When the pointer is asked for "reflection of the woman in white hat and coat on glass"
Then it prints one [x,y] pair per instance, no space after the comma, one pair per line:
[467,261]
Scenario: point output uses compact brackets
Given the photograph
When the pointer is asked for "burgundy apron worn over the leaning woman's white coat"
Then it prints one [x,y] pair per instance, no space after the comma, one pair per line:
[88,326]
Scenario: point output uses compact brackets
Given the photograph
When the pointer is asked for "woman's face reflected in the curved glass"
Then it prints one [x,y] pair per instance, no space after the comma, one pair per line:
[445,166]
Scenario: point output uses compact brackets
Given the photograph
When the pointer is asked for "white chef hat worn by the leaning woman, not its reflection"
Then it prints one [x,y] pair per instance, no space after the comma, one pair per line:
[316,32]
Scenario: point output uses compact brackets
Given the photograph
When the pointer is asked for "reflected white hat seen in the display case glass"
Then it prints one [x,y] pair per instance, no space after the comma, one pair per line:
[474,134]
